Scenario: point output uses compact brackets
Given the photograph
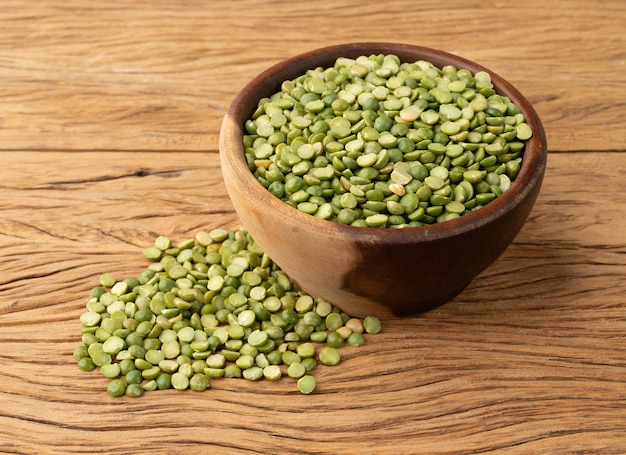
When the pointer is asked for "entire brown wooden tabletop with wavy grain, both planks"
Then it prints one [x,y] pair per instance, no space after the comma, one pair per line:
[109,121]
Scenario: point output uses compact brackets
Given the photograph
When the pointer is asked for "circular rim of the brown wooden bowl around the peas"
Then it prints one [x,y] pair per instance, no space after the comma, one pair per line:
[232,152]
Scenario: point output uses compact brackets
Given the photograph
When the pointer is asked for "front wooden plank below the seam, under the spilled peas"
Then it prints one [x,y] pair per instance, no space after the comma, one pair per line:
[529,359]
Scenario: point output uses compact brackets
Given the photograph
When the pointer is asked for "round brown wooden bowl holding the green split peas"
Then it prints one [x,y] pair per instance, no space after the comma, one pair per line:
[376,271]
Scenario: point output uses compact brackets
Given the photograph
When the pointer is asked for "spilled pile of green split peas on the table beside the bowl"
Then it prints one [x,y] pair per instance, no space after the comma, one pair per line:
[211,307]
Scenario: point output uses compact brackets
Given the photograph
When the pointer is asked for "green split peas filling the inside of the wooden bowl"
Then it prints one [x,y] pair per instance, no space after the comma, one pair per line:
[375,142]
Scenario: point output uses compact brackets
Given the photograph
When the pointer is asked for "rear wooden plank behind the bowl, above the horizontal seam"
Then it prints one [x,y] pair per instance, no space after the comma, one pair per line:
[159,75]
